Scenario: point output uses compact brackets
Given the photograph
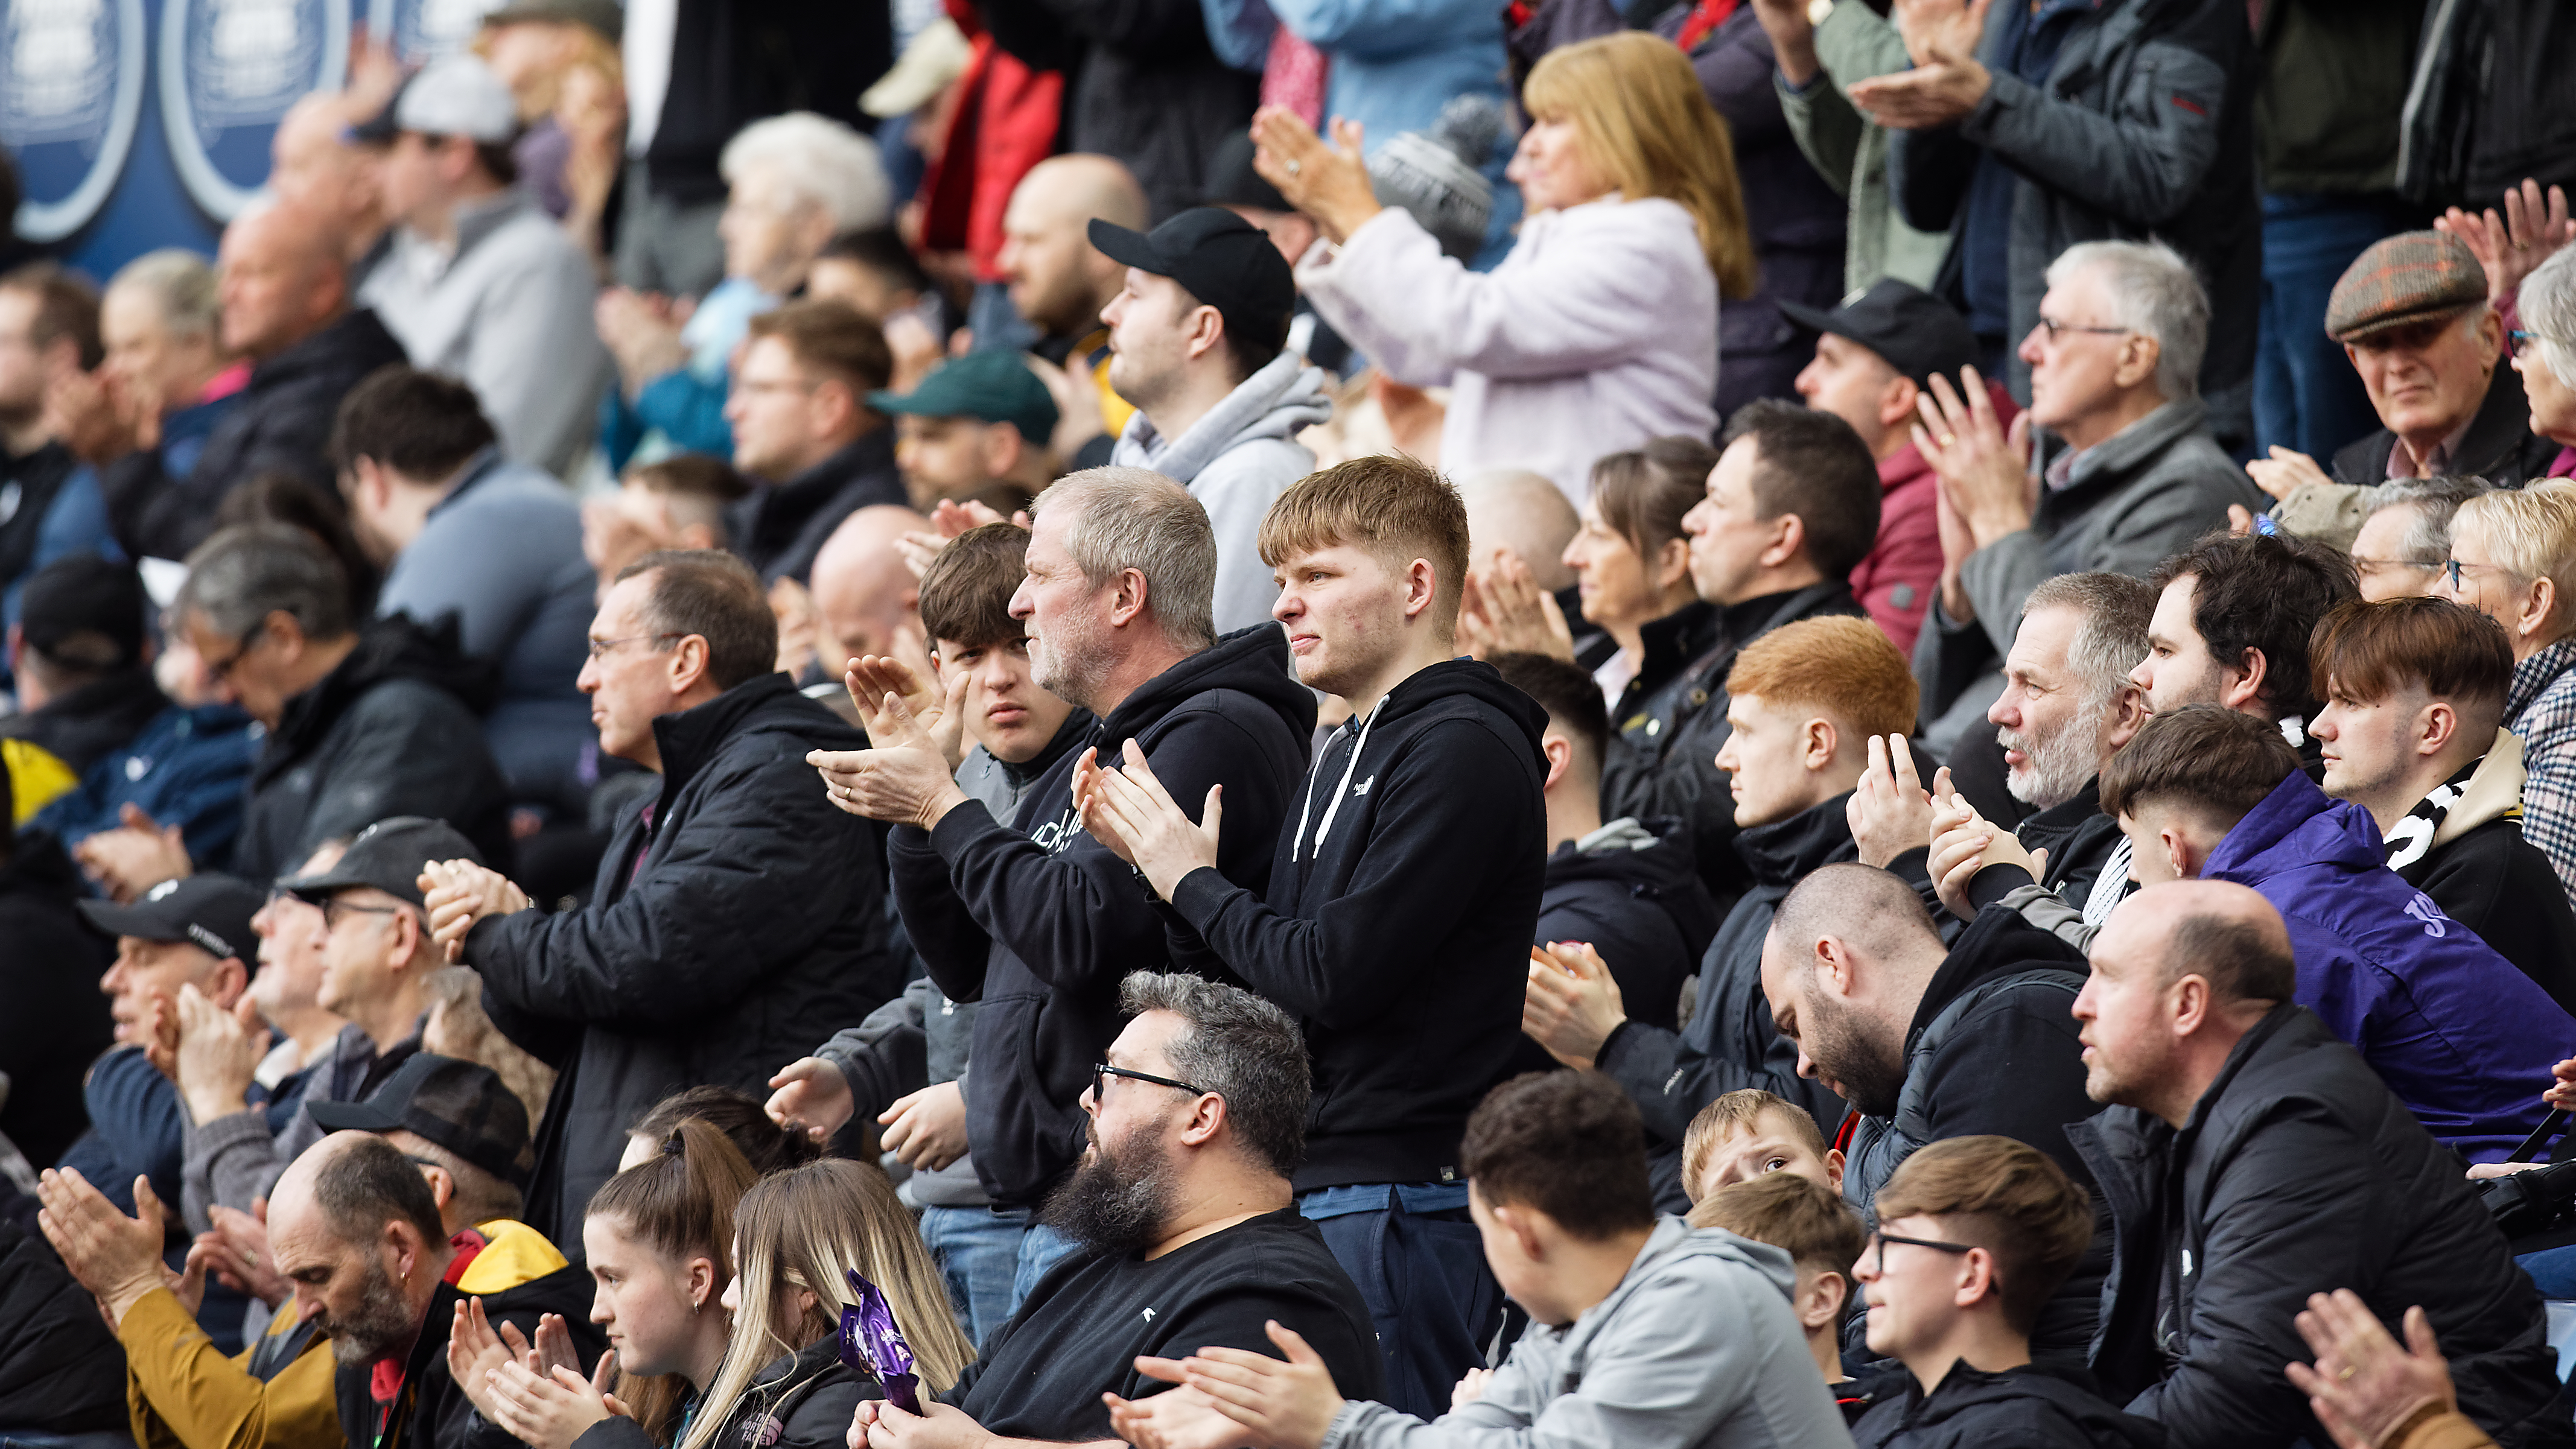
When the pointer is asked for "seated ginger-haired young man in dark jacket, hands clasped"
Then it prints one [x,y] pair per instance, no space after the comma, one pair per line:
[1802,706]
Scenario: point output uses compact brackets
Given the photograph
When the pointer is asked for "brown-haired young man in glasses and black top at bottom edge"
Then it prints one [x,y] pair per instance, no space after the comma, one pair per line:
[1975,1237]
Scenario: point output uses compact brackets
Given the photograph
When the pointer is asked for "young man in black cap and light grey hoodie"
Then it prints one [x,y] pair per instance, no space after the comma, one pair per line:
[1199,346]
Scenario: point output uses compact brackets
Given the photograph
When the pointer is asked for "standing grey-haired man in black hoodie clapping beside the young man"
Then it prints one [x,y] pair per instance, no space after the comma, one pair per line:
[1034,918]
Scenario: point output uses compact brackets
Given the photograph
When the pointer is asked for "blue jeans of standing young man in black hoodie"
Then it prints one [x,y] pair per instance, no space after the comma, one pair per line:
[1418,1262]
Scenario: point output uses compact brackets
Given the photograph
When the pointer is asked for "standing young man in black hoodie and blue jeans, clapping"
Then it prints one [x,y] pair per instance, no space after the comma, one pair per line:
[1403,902]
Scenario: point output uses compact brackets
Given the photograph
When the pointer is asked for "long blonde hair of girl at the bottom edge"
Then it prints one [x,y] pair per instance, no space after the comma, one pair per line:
[808,1229]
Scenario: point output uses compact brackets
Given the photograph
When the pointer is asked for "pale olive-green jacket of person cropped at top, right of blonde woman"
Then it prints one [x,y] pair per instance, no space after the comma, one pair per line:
[1853,153]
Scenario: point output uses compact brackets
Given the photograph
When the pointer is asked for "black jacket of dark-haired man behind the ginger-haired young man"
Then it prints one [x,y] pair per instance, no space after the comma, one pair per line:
[1665,758]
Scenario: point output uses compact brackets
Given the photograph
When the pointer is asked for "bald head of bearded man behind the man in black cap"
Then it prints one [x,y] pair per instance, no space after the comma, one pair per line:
[1057,279]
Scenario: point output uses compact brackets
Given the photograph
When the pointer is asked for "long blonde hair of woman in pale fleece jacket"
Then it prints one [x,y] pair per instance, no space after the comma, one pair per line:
[1653,133]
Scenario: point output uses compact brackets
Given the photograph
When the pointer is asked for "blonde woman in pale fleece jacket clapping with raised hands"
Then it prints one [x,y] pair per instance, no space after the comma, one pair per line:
[1601,328]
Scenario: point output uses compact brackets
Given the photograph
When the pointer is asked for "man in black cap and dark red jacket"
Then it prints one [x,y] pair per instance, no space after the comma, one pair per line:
[1877,354]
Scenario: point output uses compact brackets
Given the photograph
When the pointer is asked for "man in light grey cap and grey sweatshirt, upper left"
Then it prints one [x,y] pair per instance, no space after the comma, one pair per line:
[480,282]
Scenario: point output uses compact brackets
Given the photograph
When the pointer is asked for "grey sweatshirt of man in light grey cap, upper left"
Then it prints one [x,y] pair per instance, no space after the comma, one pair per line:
[509,313]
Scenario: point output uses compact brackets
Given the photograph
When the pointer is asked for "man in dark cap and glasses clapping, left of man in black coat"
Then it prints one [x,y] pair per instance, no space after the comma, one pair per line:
[377,956]
